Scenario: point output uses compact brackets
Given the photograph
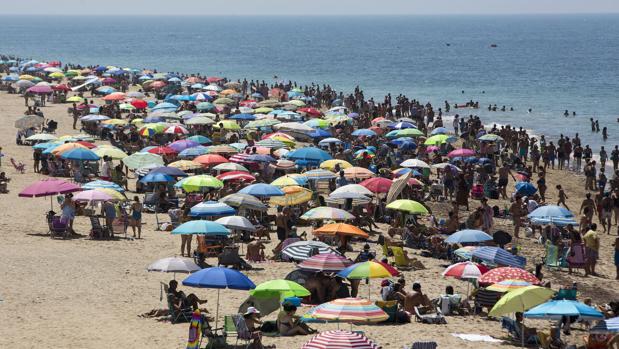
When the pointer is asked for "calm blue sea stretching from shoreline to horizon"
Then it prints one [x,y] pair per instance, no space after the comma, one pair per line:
[547,63]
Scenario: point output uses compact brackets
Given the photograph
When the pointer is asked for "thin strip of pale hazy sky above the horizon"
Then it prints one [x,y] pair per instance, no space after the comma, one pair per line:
[308,7]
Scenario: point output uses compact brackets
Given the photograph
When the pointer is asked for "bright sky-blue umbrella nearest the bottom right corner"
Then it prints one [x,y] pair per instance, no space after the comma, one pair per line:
[556,309]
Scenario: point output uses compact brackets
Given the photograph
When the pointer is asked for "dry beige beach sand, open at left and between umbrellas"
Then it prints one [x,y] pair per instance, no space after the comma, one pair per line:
[82,293]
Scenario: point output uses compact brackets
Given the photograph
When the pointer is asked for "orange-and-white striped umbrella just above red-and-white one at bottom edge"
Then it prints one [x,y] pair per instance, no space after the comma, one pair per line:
[353,310]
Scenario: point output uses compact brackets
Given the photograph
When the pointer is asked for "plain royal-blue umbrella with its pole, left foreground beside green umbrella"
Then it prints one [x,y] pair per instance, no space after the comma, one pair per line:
[219,278]
